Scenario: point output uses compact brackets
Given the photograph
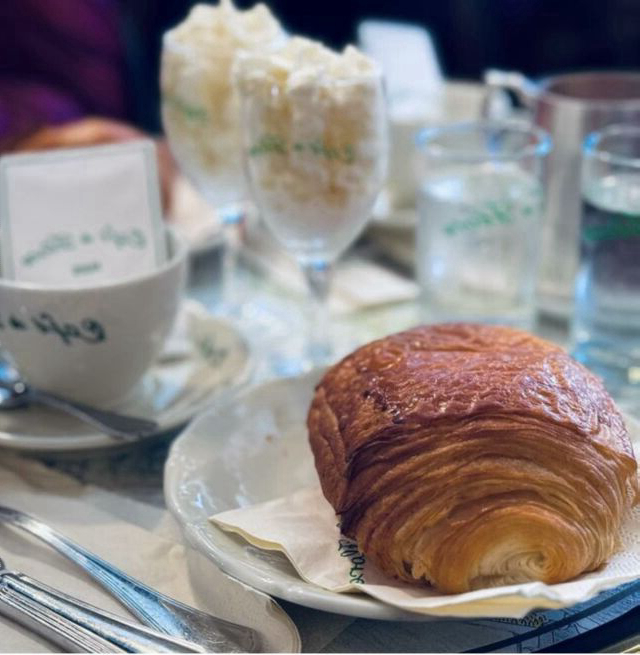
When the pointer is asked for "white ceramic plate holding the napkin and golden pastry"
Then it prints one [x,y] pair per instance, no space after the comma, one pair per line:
[252,450]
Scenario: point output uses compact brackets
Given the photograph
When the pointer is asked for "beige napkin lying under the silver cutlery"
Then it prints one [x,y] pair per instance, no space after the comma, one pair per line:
[140,539]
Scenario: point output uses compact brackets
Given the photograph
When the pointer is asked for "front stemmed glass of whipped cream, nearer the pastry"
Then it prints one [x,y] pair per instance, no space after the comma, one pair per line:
[315,146]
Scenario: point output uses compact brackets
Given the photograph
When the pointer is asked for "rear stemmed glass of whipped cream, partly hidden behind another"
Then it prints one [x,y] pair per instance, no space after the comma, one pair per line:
[201,112]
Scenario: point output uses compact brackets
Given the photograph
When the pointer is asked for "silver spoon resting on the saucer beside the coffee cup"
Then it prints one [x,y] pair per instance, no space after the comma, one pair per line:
[15,393]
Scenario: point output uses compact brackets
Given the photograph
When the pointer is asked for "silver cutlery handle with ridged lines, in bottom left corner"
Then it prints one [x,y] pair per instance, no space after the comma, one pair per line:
[76,626]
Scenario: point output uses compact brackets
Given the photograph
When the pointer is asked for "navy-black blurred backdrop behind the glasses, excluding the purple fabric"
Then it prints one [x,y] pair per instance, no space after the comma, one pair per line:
[536,37]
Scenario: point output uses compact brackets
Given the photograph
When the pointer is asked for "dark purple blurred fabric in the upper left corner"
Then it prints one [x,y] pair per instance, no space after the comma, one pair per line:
[59,60]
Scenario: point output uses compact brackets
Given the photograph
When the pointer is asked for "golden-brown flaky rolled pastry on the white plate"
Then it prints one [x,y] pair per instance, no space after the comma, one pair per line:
[470,456]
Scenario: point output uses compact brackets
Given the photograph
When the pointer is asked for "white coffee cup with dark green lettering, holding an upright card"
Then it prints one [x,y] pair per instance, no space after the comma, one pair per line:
[92,344]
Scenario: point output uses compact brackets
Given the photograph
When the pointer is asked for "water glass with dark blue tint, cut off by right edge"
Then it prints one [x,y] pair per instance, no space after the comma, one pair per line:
[606,326]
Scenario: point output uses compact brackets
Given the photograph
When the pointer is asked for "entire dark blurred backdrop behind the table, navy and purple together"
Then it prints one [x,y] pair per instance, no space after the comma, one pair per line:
[101,56]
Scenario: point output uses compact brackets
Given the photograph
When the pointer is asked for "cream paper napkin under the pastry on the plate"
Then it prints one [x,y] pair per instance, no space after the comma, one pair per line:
[304,527]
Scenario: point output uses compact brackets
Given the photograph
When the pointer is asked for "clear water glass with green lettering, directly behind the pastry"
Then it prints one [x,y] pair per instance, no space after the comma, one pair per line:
[480,204]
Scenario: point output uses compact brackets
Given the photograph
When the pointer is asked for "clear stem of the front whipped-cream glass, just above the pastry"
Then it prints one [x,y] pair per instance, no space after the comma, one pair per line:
[319,343]
